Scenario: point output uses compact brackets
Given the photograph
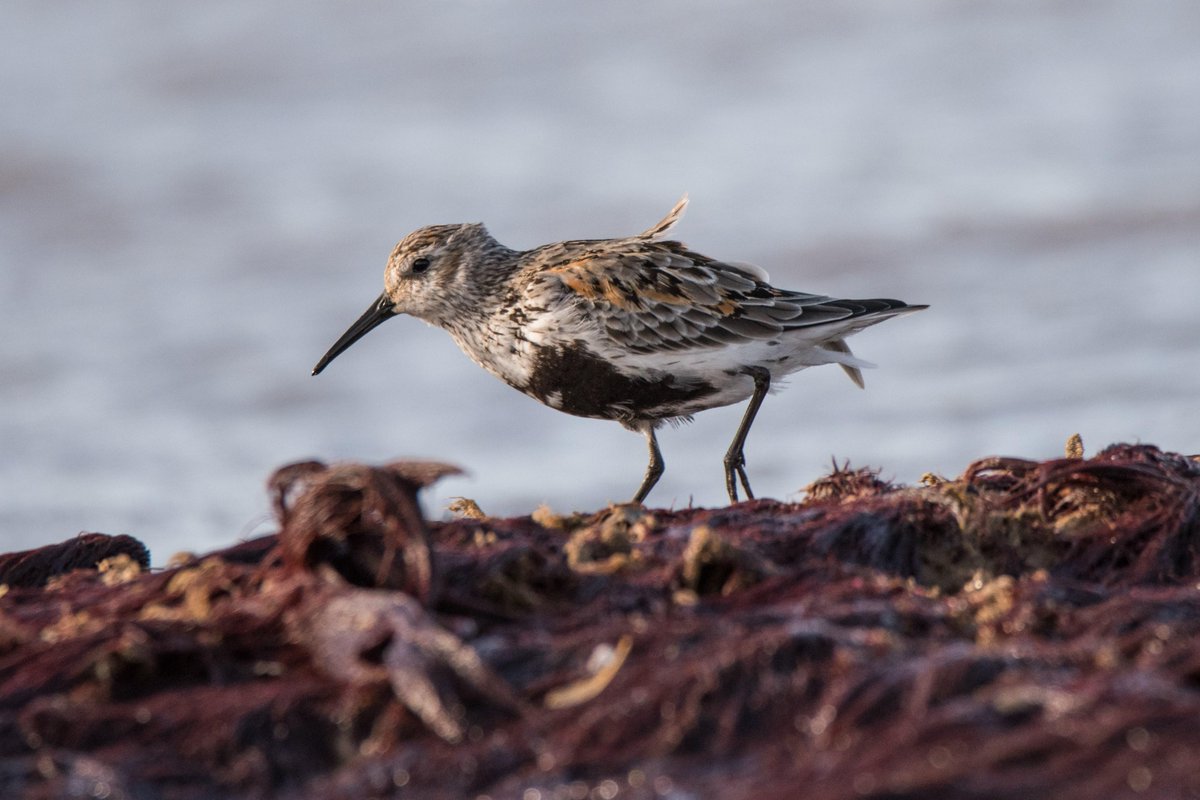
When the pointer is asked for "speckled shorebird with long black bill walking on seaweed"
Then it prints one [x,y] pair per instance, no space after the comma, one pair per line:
[640,330]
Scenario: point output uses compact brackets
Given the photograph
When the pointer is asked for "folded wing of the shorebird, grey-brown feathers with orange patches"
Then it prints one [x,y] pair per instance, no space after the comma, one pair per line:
[658,296]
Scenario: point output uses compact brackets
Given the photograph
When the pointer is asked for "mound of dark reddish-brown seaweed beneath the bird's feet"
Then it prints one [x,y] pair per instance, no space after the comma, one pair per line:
[1028,630]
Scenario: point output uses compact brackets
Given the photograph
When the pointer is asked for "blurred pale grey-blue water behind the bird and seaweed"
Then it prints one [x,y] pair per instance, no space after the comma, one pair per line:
[197,200]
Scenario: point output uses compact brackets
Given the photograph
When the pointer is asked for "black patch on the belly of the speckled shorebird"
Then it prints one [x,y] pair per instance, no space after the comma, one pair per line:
[575,381]
